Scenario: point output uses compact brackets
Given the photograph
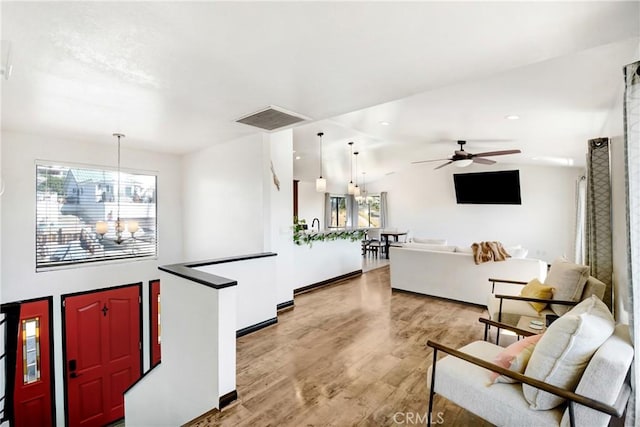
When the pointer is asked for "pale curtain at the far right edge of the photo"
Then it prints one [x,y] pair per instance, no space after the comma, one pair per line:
[632,154]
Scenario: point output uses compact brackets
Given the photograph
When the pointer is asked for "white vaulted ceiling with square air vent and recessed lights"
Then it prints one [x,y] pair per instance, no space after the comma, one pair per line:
[174,76]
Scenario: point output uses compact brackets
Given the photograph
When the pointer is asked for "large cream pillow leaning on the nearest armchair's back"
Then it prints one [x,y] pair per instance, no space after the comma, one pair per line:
[563,352]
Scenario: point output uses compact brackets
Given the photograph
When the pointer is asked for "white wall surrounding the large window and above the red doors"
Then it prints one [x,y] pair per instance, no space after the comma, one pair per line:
[19,278]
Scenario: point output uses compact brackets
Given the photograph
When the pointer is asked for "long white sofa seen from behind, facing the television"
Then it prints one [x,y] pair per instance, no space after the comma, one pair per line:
[454,275]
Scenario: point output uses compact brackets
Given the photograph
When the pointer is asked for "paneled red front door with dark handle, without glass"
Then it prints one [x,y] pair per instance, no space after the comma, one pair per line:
[102,331]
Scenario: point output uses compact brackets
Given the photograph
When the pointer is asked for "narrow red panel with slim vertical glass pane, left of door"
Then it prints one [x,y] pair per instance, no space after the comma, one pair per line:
[32,391]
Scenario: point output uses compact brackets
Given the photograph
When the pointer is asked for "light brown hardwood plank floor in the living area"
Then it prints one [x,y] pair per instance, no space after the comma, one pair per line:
[353,353]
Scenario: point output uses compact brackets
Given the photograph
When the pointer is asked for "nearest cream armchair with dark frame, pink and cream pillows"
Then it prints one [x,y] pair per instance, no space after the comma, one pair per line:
[573,374]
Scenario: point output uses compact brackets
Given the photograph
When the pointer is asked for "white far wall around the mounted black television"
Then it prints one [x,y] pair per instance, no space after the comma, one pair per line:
[422,200]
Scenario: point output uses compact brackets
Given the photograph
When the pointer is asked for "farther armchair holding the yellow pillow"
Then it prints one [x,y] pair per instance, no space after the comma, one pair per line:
[565,285]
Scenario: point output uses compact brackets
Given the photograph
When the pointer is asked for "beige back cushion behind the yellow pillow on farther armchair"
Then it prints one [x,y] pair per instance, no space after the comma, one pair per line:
[568,281]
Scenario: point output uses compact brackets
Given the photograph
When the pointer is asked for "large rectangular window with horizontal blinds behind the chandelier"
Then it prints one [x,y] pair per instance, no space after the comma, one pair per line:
[77,211]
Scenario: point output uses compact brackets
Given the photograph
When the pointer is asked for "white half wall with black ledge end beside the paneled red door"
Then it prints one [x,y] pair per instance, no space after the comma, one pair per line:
[198,324]
